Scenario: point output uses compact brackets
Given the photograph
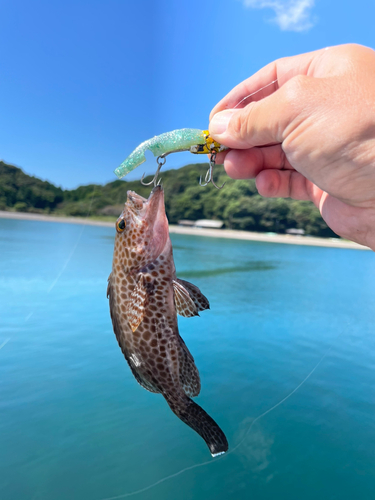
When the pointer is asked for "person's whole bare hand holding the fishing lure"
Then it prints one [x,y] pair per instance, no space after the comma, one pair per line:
[309,136]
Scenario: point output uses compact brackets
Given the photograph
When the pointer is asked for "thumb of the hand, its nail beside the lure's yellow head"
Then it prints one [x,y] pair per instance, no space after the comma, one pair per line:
[262,122]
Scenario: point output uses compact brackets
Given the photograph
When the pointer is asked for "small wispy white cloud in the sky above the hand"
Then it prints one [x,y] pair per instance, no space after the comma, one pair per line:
[291,15]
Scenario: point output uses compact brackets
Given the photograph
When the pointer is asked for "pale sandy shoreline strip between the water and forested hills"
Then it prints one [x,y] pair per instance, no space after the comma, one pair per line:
[213,233]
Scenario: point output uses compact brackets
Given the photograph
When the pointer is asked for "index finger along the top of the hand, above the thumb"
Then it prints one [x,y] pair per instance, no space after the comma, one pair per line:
[267,80]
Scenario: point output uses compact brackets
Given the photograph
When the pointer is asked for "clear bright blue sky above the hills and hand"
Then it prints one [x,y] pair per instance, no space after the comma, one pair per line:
[82,83]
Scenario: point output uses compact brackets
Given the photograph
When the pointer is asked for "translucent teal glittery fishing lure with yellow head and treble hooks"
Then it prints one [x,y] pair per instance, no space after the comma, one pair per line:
[186,139]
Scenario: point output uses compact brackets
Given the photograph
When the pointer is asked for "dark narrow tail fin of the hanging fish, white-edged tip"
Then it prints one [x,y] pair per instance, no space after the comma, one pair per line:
[196,418]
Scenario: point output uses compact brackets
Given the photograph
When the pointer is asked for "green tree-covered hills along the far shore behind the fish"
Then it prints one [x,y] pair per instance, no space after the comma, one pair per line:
[238,204]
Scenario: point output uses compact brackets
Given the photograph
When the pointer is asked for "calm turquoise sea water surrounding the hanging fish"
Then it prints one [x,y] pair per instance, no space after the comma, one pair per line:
[75,425]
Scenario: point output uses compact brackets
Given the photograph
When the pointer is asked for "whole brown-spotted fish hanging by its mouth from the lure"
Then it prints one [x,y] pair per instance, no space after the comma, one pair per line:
[145,297]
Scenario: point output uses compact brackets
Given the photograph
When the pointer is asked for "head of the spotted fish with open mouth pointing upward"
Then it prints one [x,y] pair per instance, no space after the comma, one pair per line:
[141,230]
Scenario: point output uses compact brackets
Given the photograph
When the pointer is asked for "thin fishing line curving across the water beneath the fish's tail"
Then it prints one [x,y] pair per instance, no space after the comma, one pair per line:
[208,462]
